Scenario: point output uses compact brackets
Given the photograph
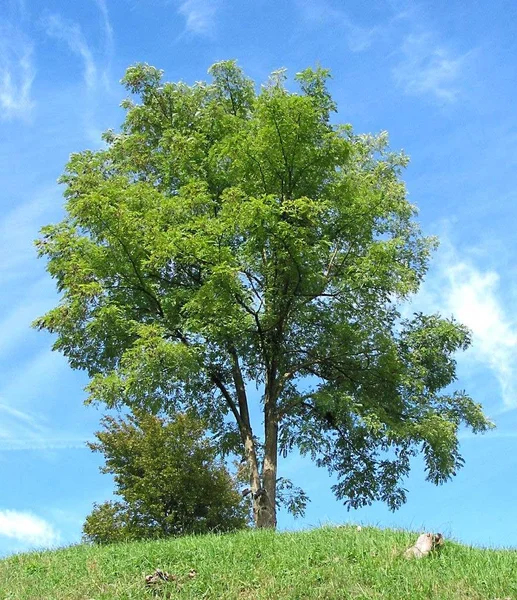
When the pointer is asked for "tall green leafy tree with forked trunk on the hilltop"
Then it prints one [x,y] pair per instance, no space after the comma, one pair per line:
[228,238]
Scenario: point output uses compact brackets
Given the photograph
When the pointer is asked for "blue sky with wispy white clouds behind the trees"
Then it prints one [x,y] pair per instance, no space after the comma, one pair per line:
[440,77]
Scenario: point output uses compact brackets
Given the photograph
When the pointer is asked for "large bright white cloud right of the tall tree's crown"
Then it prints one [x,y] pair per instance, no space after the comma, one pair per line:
[457,286]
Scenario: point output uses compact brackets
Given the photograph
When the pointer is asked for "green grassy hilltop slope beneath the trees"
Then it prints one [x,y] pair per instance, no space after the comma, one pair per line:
[327,563]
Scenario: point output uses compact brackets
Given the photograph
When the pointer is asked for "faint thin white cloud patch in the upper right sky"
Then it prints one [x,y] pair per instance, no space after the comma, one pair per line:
[429,69]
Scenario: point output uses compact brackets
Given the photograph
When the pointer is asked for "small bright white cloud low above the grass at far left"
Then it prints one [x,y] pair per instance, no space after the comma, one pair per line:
[27,528]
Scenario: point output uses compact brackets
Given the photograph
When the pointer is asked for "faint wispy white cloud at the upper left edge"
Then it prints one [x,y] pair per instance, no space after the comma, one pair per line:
[16,75]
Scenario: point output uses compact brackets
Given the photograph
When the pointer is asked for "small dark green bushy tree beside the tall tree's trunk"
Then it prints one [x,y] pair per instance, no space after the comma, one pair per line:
[169,477]
